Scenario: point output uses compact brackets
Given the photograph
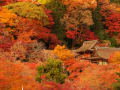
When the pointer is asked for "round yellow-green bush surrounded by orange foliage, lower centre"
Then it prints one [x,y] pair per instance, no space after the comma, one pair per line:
[53,71]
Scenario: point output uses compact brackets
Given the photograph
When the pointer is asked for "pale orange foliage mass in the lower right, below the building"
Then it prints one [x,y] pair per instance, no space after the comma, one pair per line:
[97,77]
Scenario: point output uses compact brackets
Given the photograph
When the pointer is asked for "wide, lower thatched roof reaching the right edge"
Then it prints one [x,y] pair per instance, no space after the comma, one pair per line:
[105,52]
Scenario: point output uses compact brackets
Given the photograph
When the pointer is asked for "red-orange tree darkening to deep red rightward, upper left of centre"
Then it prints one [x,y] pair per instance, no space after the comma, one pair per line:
[33,29]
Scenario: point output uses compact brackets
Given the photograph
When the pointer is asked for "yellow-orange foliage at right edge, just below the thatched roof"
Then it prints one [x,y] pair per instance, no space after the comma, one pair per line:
[115,58]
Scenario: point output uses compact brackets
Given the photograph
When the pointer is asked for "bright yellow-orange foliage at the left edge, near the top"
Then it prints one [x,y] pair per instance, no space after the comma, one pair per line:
[7,17]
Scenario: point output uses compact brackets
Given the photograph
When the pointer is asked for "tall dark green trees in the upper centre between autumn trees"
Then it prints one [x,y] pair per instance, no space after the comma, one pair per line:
[58,12]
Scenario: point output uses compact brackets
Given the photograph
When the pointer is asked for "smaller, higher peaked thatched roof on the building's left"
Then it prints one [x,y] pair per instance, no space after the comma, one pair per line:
[87,45]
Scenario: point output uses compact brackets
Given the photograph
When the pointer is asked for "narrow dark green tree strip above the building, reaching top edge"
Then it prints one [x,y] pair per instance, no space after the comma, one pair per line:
[98,27]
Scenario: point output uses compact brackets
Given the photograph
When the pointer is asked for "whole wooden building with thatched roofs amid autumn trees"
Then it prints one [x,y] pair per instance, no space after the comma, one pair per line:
[99,55]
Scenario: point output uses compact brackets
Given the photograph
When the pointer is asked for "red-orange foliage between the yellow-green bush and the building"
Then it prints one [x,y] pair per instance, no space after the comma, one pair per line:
[76,67]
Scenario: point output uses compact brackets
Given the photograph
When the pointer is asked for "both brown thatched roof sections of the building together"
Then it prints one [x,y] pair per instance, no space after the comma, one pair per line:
[99,52]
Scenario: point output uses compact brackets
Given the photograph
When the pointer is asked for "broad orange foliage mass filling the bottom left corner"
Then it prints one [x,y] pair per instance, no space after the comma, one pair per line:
[15,75]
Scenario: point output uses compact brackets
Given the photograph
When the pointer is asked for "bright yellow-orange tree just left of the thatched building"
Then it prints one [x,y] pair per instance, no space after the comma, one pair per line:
[63,53]
